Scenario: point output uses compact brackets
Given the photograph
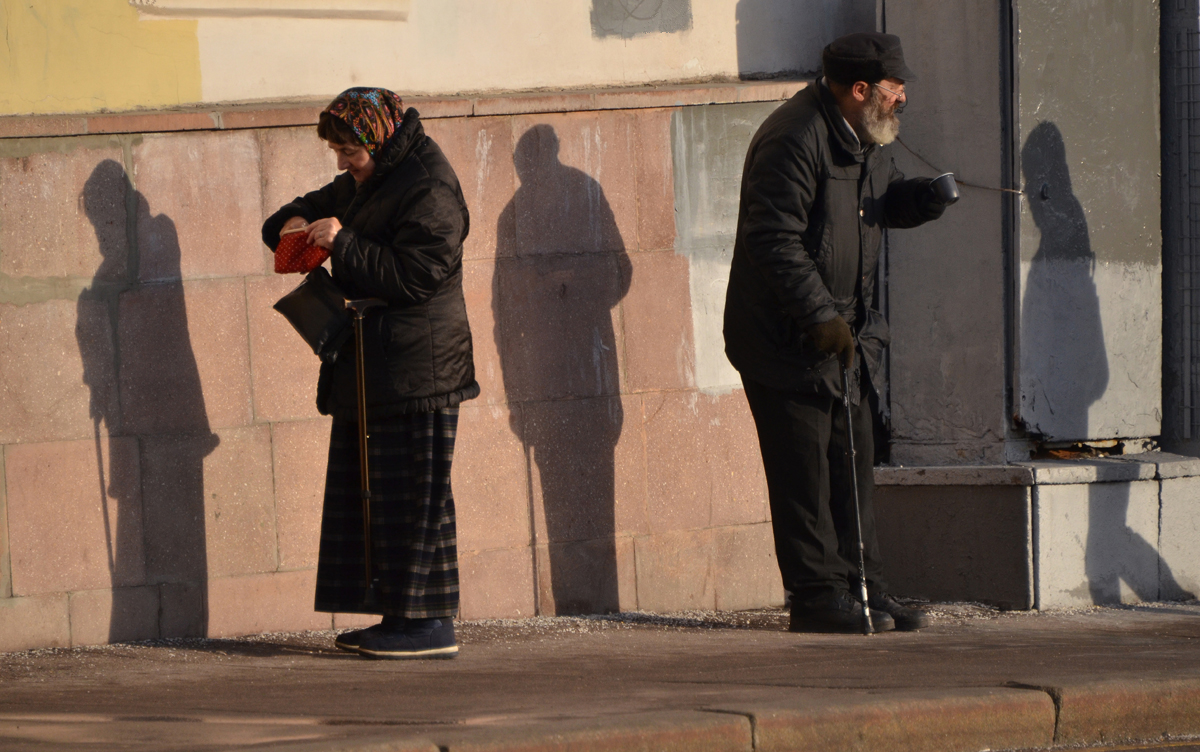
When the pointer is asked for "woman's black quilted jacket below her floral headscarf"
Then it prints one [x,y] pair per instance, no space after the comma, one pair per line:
[403,243]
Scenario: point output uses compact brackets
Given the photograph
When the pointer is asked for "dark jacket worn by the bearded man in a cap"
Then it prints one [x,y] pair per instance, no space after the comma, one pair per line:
[814,207]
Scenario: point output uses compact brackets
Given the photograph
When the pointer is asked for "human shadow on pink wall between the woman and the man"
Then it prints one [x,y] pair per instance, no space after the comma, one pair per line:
[559,279]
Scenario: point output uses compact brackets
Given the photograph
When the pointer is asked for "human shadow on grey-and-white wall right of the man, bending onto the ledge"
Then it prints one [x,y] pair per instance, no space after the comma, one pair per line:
[1066,371]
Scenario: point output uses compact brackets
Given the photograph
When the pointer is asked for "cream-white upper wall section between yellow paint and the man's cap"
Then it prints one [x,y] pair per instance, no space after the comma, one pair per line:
[471,46]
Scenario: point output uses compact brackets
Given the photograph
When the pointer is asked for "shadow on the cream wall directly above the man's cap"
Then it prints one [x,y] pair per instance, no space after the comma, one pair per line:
[778,38]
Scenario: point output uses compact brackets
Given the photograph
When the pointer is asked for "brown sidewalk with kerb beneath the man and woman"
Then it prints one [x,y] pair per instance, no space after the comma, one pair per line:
[979,679]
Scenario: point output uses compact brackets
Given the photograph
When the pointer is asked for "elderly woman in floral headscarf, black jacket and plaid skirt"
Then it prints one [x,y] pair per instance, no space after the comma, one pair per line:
[394,224]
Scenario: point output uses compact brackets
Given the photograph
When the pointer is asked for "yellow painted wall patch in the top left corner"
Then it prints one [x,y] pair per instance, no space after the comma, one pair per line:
[89,56]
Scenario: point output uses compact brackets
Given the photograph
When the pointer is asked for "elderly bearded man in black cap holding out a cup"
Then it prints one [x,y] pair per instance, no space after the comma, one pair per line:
[818,189]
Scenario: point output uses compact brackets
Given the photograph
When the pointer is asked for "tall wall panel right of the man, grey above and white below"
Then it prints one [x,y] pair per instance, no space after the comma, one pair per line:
[1090,244]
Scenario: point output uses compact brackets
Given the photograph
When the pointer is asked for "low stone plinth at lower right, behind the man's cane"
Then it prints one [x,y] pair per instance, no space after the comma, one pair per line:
[1045,534]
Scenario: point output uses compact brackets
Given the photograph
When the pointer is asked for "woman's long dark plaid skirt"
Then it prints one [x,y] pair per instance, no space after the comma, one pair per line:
[415,557]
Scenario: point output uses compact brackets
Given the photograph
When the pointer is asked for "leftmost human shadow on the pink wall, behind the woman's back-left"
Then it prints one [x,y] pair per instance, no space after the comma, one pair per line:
[146,394]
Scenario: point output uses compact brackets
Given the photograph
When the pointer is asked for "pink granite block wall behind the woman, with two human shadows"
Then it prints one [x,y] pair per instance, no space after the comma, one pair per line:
[163,460]
